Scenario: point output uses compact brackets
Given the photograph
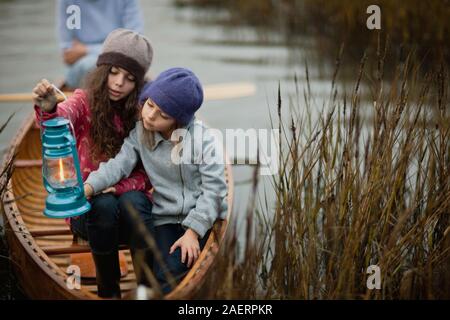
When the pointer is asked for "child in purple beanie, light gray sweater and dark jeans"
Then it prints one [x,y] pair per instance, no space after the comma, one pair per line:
[189,189]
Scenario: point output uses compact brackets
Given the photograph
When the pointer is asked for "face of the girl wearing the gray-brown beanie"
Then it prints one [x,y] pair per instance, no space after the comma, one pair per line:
[120,83]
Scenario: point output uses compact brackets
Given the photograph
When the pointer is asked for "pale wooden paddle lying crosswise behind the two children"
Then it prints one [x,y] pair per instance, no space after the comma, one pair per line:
[211,92]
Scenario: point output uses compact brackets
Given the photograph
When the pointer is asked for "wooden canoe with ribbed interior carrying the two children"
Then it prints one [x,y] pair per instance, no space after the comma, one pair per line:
[41,247]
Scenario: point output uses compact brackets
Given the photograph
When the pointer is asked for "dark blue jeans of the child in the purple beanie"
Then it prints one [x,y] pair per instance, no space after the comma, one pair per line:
[165,237]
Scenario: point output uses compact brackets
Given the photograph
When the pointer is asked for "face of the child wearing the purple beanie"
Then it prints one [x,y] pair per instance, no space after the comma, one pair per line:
[154,119]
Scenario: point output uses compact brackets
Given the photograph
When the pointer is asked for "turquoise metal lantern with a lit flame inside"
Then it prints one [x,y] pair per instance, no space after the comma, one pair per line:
[61,171]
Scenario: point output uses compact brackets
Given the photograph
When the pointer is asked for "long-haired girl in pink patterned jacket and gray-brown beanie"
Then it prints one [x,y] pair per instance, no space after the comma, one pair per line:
[102,116]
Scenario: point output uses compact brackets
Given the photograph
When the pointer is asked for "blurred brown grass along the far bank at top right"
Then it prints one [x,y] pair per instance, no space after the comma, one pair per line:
[412,24]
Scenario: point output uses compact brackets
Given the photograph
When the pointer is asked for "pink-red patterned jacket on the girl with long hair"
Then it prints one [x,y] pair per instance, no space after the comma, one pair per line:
[77,110]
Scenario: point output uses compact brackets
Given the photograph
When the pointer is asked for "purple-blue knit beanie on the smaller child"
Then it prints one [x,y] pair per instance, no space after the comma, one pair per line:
[177,91]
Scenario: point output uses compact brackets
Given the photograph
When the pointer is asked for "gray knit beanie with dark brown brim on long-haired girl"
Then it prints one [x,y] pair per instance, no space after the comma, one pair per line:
[129,50]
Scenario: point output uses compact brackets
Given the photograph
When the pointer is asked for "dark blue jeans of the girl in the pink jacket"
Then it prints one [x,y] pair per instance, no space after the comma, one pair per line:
[109,223]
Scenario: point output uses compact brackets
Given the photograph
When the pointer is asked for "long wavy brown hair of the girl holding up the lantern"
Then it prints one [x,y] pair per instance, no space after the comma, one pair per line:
[104,134]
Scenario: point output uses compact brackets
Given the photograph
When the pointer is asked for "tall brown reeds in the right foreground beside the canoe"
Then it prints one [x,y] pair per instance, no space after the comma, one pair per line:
[351,195]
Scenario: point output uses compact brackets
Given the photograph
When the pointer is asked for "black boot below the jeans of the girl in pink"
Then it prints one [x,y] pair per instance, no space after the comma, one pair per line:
[108,275]
